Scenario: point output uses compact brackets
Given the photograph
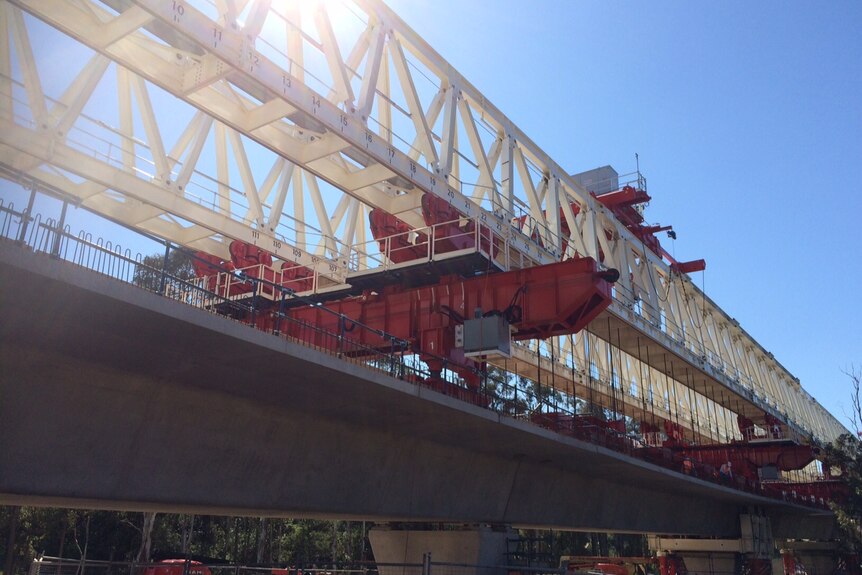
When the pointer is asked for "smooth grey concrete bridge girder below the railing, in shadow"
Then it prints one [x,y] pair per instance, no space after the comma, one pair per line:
[114,397]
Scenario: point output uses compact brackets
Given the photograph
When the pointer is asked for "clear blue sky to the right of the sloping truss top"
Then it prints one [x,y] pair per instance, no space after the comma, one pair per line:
[747,117]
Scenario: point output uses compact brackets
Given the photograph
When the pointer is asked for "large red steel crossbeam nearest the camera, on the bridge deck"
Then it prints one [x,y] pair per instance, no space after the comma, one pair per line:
[537,303]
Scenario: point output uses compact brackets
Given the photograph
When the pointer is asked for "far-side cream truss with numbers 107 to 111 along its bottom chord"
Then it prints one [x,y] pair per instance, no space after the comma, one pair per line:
[51,133]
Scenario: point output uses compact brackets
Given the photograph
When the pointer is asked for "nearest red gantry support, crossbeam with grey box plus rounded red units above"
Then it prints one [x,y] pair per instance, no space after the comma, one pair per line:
[444,323]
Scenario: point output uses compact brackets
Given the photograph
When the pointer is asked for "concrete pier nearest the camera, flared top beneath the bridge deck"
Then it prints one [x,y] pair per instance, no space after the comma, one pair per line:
[478,545]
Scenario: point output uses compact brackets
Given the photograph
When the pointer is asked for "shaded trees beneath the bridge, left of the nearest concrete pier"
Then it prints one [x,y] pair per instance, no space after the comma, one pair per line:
[116,536]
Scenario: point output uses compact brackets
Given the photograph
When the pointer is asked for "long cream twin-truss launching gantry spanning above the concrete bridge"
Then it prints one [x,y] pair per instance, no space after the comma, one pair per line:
[282,124]
